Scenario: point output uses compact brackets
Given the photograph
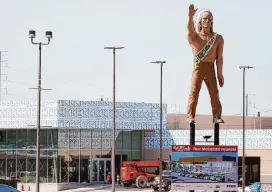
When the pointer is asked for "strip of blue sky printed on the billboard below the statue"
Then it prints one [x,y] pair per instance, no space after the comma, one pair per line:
[177,155]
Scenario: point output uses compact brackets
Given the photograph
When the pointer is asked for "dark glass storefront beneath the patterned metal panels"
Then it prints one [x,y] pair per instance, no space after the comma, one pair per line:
[67,155]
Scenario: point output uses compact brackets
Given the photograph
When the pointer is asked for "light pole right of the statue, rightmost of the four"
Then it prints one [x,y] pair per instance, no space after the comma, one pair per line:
[243,158]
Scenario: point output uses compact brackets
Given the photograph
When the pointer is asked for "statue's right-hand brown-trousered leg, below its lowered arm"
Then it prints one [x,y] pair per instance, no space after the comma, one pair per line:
[211,83]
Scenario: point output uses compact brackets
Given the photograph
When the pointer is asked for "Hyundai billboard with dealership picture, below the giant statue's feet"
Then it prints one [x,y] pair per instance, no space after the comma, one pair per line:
[204,167]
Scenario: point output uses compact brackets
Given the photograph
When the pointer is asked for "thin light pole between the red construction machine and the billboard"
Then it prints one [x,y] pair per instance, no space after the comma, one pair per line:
[161,63]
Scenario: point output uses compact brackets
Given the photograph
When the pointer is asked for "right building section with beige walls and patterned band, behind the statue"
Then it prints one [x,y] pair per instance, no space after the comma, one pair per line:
[258,141]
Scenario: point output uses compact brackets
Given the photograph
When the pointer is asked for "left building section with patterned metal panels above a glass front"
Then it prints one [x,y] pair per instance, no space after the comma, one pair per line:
[75,138]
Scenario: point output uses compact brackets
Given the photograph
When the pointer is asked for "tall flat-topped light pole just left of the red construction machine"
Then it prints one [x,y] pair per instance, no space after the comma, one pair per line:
[113,129]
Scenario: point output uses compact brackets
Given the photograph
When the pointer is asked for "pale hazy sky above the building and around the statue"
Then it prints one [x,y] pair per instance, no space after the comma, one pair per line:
[75,65]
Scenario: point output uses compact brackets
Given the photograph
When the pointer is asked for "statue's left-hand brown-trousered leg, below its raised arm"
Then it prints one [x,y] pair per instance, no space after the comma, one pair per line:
[196,81]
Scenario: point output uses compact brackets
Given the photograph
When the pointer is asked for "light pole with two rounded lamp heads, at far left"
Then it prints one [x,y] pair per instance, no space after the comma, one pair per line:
[32,35]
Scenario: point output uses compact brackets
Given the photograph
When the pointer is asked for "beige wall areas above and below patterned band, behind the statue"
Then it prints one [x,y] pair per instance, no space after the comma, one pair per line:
[178,122]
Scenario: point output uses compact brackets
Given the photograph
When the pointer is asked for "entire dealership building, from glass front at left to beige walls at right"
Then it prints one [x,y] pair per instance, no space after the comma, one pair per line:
[76,139]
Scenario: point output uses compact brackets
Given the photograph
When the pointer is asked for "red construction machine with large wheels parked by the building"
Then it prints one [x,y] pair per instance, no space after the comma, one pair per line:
[140,173]
